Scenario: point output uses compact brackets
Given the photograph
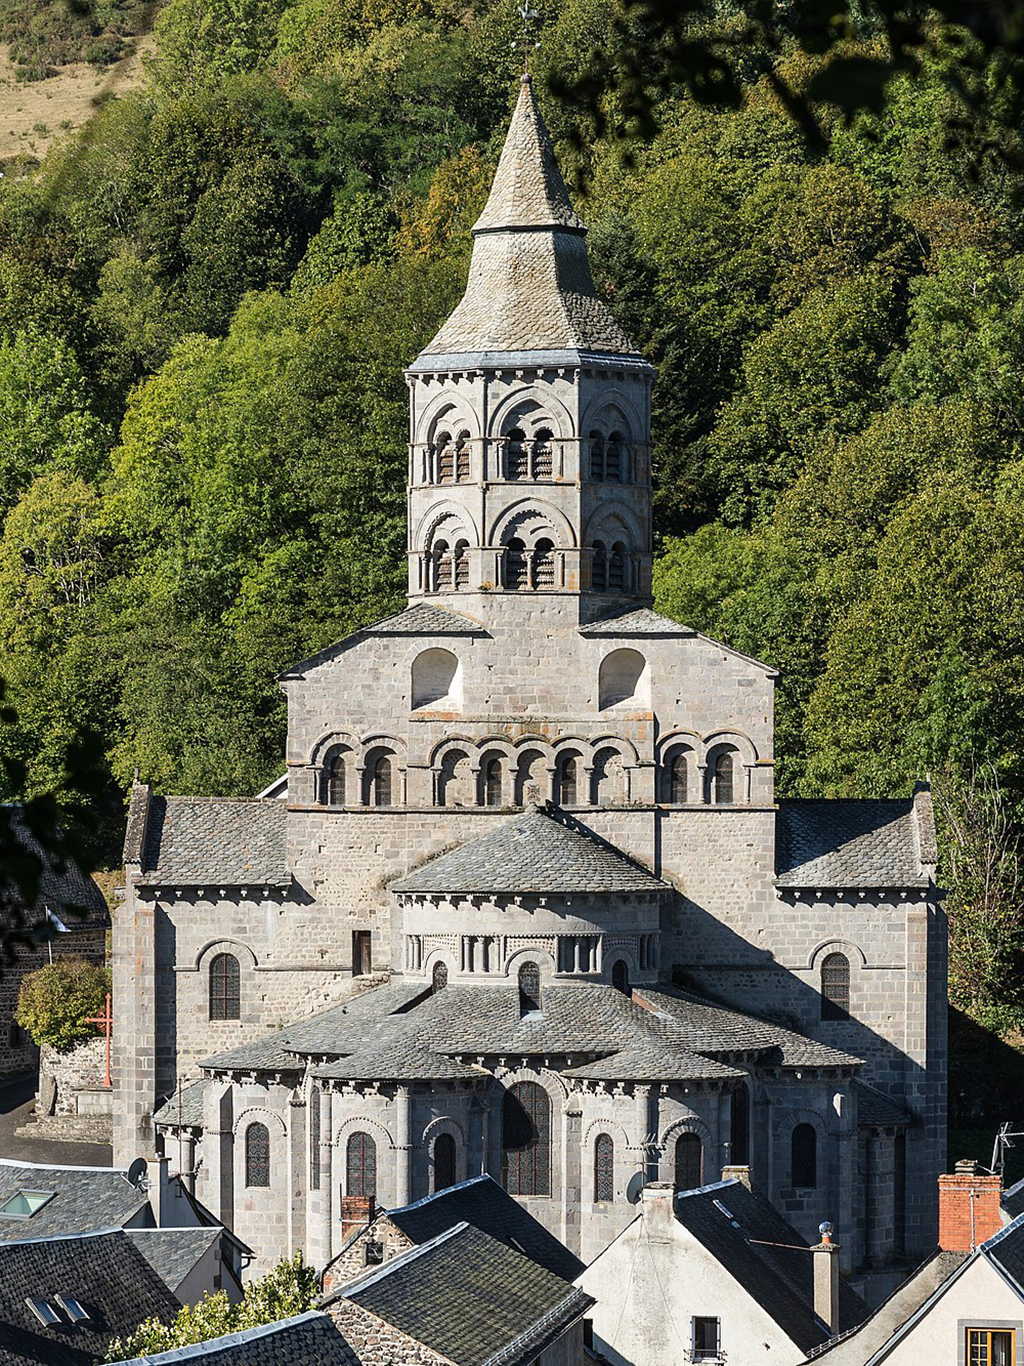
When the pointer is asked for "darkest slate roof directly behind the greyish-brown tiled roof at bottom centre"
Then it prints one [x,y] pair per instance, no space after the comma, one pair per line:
[488,1207]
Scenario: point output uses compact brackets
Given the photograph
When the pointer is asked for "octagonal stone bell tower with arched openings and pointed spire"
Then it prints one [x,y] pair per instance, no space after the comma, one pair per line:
[530,417]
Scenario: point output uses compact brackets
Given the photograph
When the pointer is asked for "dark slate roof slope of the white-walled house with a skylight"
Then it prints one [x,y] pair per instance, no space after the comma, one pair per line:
[743,1231]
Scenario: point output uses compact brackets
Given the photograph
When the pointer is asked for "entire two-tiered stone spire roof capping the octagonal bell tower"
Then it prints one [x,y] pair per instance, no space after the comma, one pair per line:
[530,288]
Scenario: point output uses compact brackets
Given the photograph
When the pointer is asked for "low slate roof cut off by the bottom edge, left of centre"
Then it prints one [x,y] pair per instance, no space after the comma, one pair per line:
[311,1339]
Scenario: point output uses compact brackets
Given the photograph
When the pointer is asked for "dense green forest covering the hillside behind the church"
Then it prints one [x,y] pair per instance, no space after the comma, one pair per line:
[208,297]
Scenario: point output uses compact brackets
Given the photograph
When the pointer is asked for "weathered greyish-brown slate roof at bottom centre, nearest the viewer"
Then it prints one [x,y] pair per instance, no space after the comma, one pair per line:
[469,1298]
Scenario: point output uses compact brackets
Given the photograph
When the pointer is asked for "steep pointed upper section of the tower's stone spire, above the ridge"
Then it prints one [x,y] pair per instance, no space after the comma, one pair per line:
[529,191]
